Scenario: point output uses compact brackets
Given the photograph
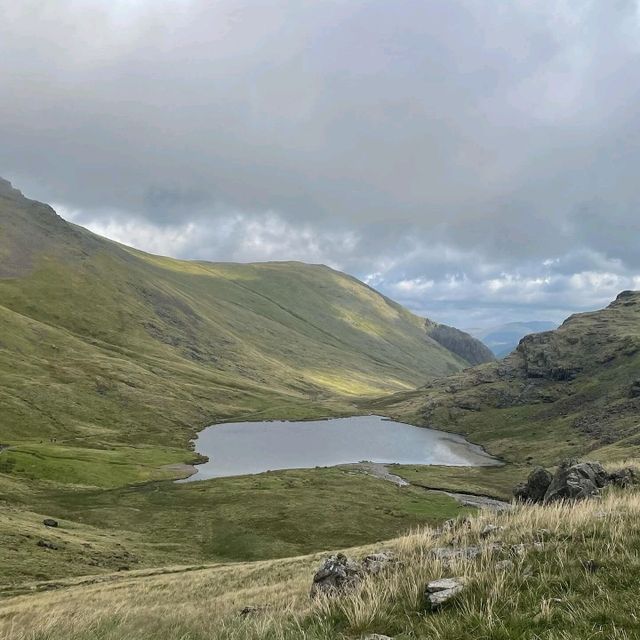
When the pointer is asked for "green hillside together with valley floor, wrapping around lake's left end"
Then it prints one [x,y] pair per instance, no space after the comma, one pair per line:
[111,359]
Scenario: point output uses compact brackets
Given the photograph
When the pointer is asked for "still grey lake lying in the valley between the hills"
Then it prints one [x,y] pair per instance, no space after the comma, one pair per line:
[239,448]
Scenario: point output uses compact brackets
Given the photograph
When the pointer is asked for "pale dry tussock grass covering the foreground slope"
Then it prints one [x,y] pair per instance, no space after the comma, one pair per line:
[574,578]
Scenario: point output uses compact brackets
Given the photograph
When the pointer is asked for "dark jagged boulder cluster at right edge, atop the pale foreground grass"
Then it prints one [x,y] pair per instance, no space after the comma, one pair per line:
[572,481]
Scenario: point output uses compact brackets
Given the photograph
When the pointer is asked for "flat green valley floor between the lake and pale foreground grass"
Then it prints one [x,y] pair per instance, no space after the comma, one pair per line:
[269,515]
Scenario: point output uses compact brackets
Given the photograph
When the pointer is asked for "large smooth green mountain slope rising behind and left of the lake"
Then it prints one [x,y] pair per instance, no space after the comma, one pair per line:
[103,344]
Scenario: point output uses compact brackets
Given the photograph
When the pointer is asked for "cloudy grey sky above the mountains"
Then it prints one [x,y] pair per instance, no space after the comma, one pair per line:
[476,160]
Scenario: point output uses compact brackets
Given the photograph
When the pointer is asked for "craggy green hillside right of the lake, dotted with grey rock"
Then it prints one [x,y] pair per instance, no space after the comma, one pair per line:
[564,392]
